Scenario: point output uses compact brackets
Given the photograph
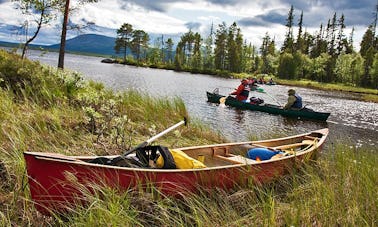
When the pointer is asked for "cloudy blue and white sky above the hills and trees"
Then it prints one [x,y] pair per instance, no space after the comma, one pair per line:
[256,18]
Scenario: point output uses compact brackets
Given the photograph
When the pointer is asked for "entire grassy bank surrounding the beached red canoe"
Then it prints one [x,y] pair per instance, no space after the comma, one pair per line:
[44,109]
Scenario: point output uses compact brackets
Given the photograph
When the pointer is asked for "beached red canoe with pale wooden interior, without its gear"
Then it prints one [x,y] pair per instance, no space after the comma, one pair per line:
[57,181]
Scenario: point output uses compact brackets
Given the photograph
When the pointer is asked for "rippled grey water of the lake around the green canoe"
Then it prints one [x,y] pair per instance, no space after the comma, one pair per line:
[350,120]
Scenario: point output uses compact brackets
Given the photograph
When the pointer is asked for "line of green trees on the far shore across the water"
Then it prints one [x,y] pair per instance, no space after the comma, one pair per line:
[325,56]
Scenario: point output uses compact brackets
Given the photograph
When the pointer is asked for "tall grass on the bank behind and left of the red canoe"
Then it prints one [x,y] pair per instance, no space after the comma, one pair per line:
[45,109]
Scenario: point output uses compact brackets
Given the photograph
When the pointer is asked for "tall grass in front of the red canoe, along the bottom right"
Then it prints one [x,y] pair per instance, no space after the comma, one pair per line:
[338,190]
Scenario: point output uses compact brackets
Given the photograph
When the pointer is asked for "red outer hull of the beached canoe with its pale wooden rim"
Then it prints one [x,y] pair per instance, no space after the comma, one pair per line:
[59,182]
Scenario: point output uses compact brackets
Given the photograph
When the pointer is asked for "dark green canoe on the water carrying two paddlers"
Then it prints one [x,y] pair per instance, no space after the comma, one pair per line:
[268,108]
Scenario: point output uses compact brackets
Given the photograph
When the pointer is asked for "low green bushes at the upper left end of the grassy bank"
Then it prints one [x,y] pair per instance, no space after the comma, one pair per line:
[29,80]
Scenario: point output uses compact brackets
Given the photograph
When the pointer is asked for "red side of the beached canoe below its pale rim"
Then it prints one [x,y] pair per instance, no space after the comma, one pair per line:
[56,185]
